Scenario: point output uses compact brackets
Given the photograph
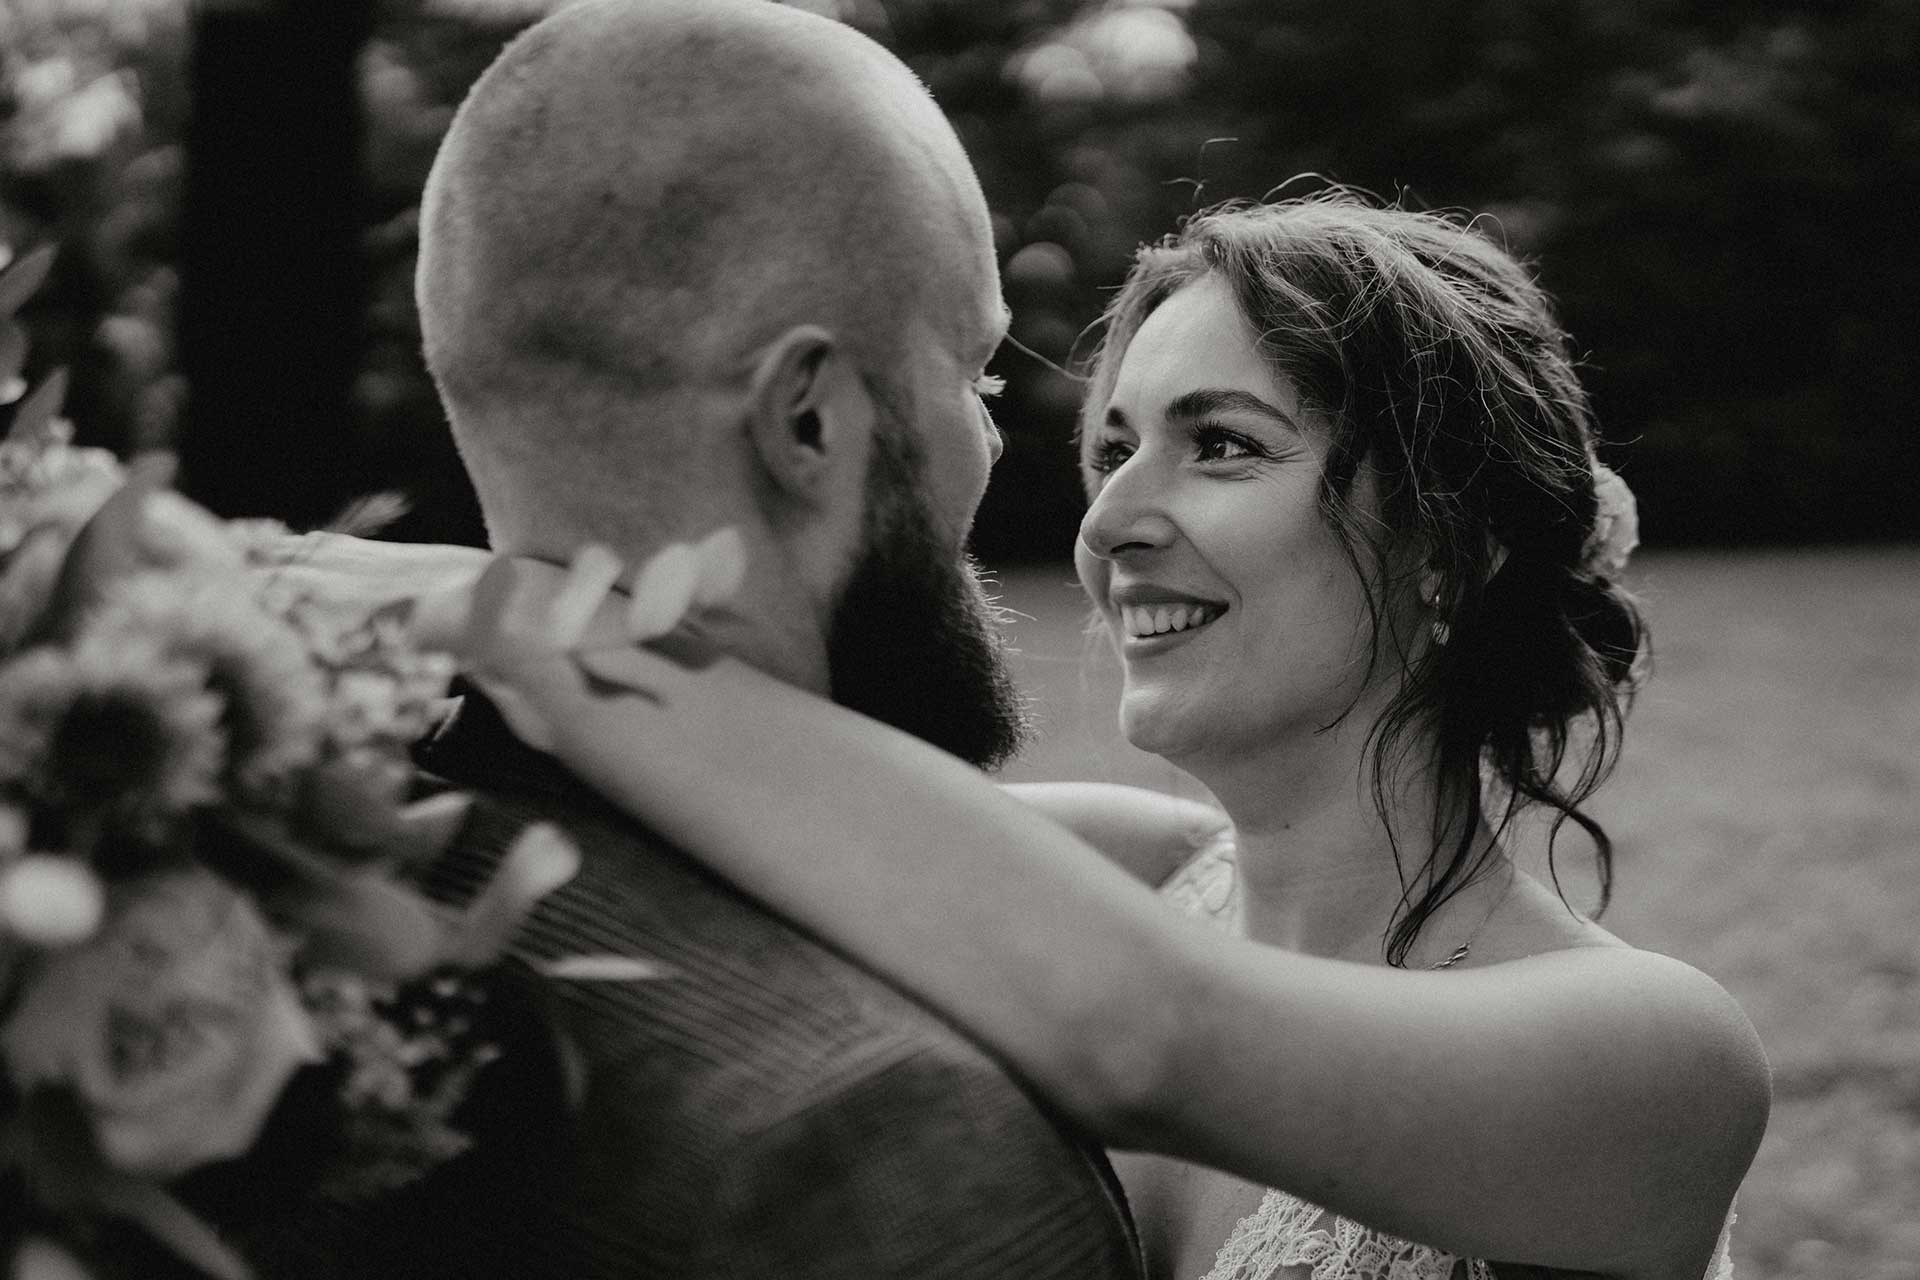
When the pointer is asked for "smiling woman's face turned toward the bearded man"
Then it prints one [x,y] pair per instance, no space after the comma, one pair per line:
[1237,617]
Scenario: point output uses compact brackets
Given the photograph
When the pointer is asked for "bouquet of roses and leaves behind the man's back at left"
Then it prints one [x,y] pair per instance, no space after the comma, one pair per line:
[214,972]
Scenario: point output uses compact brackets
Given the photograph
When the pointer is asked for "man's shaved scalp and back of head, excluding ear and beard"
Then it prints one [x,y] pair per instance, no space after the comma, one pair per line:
[640,195]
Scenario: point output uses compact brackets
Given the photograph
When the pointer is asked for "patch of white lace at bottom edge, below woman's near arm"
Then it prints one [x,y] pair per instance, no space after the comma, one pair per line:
[1287,1231]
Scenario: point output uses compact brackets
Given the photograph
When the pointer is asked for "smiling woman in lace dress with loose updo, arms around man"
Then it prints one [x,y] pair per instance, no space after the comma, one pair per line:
[1360,565]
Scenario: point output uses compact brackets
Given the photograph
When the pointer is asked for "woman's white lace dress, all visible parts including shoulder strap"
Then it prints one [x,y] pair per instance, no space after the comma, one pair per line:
[1287,1231]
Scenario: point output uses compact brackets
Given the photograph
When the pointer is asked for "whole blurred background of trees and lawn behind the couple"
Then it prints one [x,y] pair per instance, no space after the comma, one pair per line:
[1717,191]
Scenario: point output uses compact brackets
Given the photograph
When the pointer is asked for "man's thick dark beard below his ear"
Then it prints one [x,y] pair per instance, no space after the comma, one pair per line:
[915,638]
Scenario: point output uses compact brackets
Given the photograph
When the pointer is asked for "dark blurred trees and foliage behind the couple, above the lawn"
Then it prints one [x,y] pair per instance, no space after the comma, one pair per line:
[1717,191]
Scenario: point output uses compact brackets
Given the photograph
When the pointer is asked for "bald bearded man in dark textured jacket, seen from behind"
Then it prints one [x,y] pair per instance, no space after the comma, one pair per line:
[717,262]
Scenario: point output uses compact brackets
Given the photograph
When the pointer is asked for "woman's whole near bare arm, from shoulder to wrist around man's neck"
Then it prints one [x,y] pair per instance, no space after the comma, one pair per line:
[1589,1110]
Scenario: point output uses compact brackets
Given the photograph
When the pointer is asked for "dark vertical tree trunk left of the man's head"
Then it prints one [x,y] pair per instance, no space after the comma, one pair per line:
[274,285]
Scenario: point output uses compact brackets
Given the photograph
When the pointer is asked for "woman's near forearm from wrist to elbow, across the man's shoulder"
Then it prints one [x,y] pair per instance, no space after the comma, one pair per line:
[769,786]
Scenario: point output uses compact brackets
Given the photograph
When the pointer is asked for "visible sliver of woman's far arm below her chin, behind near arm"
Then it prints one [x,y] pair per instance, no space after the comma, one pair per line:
[1147,834]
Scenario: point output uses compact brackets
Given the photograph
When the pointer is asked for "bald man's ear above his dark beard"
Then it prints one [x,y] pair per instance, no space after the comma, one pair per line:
[809,414]
